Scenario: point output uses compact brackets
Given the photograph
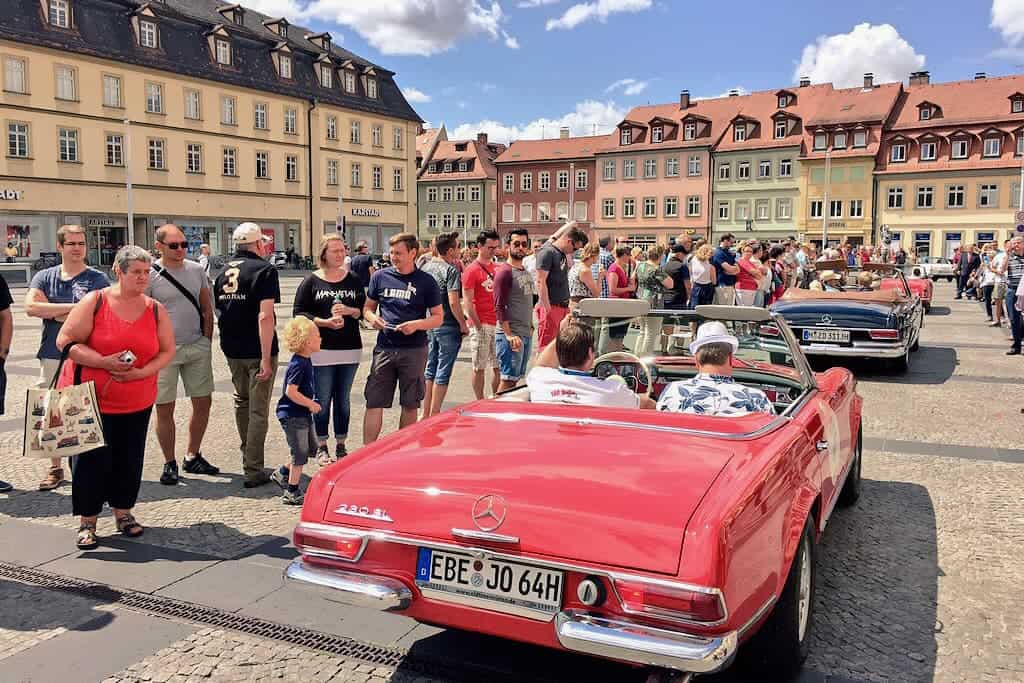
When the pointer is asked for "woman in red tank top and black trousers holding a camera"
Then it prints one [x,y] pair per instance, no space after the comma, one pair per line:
[105,327]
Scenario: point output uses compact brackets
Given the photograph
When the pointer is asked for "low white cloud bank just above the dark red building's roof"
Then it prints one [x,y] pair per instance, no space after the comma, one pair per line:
[588,117]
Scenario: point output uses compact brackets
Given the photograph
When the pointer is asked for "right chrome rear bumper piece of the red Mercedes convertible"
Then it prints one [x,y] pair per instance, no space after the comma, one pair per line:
[630,642]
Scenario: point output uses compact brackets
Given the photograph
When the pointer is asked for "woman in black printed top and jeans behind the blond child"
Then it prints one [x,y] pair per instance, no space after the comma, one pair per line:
[333,298]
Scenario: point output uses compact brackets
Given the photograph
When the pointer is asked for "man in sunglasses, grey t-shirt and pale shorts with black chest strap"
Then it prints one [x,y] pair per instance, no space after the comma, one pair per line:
[183,287]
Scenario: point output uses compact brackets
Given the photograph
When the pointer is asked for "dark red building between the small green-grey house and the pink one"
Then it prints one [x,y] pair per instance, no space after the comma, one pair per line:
[542,184]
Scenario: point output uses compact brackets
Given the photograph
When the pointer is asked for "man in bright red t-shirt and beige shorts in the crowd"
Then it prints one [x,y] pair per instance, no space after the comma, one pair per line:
[479,305]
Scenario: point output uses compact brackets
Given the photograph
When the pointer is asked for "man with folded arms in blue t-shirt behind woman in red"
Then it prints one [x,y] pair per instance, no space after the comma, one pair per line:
[53,293]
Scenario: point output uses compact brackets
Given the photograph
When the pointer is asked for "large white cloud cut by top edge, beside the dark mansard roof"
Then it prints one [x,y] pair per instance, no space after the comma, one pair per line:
[413,27]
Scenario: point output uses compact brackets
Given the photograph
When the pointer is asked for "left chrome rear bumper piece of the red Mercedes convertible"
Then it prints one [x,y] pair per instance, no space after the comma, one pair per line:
[351,588]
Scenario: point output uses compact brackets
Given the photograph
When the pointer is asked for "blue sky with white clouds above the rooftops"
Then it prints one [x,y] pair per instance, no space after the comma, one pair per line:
[520,71]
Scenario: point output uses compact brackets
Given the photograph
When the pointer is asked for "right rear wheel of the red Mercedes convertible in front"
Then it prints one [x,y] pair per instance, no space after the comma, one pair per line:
[783,644]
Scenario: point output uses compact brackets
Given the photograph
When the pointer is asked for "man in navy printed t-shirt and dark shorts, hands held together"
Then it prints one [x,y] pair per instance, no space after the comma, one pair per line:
[403,303]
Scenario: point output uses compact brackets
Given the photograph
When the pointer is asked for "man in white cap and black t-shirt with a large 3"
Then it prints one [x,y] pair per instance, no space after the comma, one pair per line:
[244,294]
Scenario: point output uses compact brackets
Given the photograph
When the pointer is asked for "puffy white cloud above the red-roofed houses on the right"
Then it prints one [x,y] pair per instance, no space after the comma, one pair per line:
[844,59]
